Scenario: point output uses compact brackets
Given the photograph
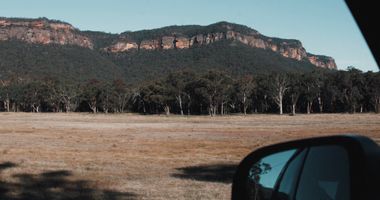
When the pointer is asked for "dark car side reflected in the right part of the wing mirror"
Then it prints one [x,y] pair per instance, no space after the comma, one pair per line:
[325,174]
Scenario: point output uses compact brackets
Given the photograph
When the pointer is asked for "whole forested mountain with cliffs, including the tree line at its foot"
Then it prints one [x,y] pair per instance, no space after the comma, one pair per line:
[50,66]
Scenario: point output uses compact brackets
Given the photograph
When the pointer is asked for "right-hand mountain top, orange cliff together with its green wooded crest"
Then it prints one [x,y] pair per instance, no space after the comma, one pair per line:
[185,37]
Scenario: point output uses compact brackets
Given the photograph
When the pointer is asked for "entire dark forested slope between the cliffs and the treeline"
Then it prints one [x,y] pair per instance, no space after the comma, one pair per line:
[72,63]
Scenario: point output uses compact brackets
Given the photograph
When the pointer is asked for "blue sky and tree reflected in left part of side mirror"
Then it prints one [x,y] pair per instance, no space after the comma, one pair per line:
[263,174]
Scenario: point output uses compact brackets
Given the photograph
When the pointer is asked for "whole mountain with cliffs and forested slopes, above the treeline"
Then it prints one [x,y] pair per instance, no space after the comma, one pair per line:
[42,47]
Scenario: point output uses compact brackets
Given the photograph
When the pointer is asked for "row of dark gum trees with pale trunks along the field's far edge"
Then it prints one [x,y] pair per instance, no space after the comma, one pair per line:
[210,93]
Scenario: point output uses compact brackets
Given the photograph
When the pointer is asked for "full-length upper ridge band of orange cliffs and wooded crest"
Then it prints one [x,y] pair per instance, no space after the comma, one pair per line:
[46,31]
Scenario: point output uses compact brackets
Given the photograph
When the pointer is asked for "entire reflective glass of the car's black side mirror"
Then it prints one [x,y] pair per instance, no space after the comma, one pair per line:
[314,173]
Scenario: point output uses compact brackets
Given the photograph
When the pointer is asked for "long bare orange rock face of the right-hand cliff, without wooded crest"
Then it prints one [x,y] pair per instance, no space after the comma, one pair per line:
[287,48]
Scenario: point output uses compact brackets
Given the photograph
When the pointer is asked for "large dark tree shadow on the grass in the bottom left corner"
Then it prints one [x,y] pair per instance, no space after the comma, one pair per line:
[53,185]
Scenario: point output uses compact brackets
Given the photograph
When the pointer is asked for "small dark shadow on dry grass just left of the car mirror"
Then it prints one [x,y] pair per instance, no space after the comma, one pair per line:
[222,173]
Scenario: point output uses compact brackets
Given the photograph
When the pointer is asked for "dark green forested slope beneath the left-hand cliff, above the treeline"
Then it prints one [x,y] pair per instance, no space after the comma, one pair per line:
[70,63]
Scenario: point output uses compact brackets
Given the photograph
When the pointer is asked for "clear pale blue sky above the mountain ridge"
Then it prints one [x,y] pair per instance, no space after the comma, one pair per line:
[323,26]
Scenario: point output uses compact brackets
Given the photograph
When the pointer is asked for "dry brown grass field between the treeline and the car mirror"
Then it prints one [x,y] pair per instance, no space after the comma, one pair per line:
[86,156]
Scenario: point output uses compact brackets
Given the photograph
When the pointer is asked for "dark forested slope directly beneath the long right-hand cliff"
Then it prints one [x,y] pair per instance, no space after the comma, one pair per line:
[236,58]
